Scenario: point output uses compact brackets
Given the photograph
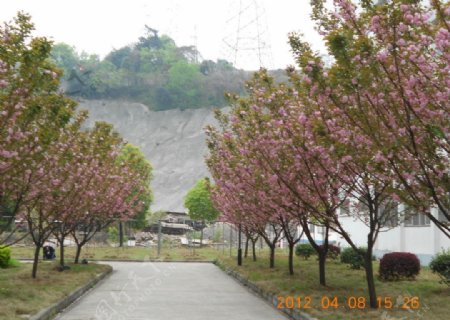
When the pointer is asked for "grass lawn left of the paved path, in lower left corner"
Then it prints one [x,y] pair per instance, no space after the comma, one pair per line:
[22,296]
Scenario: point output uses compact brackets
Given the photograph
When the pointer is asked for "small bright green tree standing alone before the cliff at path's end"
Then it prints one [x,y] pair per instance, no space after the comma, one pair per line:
[199,204]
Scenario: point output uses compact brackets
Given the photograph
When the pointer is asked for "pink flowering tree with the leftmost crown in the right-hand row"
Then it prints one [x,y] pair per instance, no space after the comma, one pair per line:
[239,192]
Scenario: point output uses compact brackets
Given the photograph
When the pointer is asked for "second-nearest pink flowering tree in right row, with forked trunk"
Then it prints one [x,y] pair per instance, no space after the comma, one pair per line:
[301,172]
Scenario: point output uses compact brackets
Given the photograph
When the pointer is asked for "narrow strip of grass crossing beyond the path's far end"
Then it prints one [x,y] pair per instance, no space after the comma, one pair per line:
[130,253]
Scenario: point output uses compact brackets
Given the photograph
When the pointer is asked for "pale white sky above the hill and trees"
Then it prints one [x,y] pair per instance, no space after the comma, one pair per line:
[97,26]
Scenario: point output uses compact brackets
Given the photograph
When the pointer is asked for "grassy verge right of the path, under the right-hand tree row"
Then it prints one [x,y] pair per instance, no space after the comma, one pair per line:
[347,286]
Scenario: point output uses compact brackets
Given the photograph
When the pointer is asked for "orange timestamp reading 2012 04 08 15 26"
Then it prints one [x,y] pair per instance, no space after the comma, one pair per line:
[352,302]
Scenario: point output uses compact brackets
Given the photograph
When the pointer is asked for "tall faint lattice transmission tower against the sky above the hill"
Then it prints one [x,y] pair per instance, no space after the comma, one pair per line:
[246,43]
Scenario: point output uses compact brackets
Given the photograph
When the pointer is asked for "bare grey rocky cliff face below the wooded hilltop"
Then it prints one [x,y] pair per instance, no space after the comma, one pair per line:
[172,140]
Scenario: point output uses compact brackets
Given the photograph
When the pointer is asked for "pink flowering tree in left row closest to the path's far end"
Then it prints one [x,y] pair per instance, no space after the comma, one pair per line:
[116,186]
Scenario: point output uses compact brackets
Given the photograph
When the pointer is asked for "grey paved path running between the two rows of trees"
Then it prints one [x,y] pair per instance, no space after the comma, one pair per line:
[184,291]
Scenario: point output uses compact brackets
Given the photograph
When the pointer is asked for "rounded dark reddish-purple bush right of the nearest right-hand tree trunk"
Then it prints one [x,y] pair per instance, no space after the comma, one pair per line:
[398,265]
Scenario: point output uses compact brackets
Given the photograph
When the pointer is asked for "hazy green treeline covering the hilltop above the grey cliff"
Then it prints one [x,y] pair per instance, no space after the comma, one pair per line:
[153,71]
